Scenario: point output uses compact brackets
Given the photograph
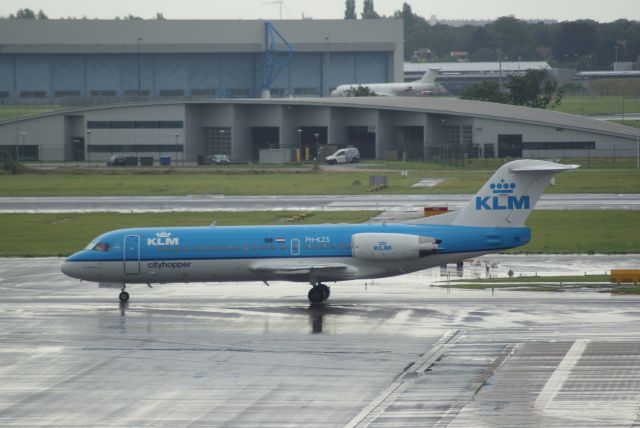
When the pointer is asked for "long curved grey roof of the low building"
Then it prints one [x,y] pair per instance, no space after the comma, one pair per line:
[432,105]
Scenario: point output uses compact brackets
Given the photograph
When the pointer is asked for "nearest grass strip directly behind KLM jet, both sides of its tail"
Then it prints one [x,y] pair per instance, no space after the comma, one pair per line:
[553,231]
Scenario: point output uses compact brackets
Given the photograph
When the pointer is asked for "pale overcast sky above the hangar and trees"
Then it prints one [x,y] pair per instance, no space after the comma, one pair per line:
[599,10]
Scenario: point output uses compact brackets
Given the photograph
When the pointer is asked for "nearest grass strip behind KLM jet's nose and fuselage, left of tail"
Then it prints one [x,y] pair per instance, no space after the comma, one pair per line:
[35,235]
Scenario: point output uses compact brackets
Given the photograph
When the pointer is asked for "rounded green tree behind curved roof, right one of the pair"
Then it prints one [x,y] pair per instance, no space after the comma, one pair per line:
[534,89]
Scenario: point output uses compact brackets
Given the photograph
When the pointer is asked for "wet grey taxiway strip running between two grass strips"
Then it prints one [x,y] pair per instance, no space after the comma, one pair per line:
[314,202]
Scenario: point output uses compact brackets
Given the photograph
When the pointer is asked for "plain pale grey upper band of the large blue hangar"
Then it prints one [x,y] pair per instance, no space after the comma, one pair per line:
[180,36]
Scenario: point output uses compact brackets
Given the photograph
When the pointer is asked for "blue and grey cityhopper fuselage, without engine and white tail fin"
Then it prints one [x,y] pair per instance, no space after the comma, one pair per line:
[241,253]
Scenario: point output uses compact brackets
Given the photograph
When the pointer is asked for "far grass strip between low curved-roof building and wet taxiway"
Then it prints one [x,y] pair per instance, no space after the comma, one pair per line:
[165,182]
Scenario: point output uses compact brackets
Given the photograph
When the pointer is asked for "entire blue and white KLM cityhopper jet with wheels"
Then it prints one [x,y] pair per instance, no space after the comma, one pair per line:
[494,220]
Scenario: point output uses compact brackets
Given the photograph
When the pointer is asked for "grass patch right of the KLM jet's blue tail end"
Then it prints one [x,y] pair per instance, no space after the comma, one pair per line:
[583,232]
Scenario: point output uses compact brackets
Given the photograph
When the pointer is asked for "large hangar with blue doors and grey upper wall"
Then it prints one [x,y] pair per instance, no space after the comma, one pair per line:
[75,62]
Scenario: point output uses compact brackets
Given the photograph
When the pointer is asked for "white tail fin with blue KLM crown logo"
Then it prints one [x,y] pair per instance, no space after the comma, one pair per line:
[507,199]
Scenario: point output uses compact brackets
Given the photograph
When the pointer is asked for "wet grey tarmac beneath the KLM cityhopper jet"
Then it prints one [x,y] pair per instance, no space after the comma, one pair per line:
[395,352]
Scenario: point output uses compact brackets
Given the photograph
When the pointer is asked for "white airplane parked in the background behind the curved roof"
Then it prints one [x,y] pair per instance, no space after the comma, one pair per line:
[425,86]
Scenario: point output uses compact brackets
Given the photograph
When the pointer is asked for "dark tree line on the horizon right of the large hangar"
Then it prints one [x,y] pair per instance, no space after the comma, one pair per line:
[584,44]
